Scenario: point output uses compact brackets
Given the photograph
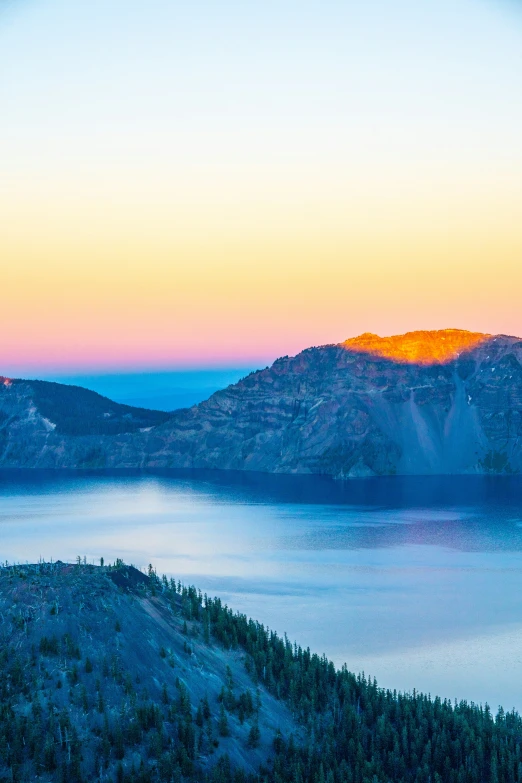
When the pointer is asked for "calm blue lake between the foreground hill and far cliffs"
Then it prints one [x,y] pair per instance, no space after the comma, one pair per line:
[417,581]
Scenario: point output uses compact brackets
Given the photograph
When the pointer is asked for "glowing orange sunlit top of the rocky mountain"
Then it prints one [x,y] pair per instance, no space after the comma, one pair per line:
[422,347]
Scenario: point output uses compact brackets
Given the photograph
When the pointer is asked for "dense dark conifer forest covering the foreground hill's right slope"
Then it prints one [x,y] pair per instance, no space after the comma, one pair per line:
[358,732]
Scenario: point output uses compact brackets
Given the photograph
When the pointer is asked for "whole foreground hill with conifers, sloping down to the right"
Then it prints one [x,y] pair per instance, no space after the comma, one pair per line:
[71,711]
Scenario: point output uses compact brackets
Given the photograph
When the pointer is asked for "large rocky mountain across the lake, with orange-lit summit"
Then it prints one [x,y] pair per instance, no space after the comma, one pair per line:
[422,403]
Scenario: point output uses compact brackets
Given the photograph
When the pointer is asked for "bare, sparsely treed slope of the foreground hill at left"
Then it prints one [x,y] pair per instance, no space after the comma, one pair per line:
[108,674]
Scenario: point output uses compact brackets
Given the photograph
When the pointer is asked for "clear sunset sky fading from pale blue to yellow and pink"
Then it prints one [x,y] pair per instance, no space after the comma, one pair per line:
[216,184]
